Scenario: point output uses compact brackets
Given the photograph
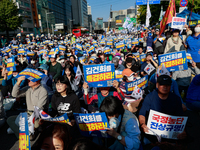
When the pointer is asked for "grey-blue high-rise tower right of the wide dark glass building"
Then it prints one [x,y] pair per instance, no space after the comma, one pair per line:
[79,13]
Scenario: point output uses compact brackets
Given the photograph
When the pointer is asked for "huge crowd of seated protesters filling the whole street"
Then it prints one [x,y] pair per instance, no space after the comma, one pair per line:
[58,92]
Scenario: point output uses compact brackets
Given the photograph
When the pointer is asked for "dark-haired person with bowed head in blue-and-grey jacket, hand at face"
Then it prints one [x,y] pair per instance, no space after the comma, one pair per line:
[124,126]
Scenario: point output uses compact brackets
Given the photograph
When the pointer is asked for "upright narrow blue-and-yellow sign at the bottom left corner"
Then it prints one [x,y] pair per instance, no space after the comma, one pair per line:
[24,140]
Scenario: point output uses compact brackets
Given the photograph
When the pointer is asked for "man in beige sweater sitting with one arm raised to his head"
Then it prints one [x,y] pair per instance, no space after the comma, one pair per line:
[36,95]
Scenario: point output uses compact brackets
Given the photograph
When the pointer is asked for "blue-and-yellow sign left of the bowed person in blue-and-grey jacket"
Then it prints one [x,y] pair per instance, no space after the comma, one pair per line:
[92,124]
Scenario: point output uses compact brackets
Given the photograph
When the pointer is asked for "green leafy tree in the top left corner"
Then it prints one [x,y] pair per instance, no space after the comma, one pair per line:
[9,17]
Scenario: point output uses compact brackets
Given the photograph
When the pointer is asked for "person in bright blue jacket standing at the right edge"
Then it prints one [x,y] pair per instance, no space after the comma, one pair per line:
[193,43]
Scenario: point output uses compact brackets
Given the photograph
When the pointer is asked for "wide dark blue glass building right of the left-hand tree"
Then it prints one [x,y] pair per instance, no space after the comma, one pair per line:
[54,12]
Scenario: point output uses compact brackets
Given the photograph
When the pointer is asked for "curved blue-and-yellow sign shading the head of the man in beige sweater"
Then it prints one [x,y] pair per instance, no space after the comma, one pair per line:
[31,74]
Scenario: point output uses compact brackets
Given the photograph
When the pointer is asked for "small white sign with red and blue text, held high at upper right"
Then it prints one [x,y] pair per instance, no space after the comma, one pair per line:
[178,23]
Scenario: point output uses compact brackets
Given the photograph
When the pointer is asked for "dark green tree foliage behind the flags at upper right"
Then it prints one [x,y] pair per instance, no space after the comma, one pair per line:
[156,8]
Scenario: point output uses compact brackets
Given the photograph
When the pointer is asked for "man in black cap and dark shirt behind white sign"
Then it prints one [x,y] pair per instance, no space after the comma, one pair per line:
[161,100]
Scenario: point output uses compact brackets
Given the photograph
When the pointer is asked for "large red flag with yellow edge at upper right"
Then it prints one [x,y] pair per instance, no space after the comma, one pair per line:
[169,14]
